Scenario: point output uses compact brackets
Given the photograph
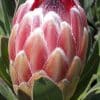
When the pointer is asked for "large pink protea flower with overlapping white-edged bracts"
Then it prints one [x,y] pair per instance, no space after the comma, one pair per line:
[49,38]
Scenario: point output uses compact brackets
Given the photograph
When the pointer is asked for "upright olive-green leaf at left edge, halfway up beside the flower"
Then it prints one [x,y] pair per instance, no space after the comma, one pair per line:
[4,61]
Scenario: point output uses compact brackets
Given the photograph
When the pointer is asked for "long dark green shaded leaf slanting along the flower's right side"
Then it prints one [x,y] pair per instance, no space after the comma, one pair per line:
[90,68]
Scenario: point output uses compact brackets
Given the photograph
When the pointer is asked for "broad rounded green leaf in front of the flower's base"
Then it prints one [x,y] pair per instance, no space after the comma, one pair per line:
[44,89]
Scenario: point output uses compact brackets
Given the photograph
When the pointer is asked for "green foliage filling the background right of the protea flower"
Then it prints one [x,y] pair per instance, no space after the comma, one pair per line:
[88,87]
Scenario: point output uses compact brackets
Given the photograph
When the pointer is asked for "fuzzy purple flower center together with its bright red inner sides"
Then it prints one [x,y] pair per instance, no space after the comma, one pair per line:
[61,7]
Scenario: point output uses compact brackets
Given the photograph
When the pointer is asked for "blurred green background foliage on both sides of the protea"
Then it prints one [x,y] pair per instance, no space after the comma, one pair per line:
[89,85]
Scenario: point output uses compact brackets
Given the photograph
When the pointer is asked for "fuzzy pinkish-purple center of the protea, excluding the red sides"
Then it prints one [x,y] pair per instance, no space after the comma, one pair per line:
[56,6]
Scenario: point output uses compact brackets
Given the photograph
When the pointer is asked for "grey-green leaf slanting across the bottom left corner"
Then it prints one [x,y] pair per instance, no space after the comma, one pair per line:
[6,92]
